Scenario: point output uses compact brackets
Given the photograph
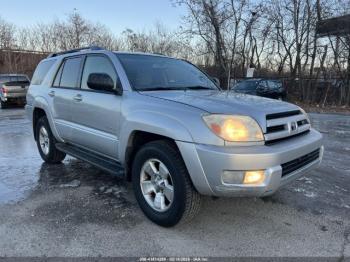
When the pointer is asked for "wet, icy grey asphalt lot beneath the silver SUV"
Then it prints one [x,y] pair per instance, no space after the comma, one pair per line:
[74,209]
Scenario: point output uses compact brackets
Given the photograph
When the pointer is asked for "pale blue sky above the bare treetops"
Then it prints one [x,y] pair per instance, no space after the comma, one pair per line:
[117,15]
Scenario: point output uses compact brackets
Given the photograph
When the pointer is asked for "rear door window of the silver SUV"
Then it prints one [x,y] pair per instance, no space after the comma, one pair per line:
[68,75]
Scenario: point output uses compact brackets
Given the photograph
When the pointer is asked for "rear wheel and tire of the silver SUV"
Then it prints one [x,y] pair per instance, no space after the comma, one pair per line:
[46,143]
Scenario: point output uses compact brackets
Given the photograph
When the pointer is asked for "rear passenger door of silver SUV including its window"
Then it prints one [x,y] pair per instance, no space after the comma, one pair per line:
[65,87]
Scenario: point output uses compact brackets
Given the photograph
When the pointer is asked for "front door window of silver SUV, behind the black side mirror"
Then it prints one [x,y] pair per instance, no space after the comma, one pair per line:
[97,64]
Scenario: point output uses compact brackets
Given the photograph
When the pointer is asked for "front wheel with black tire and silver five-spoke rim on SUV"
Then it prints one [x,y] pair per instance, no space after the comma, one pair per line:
[162,185]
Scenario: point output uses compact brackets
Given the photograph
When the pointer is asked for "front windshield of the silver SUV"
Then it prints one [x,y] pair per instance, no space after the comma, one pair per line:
[147,73]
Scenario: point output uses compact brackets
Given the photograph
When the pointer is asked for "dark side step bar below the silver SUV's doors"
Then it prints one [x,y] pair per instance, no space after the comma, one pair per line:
[101,162]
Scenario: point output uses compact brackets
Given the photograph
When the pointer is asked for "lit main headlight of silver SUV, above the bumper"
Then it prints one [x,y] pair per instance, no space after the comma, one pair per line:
[234,128]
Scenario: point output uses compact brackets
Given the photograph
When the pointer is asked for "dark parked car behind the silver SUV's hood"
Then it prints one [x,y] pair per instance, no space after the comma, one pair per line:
[261,87]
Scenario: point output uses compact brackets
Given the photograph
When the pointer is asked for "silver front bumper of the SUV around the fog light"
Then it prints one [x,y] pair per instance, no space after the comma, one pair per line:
[206,164]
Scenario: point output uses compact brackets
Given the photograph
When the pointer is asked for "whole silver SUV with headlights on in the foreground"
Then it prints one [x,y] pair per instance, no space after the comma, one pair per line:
[168,124]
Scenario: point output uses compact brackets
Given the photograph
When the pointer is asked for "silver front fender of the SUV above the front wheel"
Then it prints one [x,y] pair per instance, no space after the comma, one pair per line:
[170,119]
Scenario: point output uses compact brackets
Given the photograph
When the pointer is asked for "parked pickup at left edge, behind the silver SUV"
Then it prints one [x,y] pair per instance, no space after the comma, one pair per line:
[13,89]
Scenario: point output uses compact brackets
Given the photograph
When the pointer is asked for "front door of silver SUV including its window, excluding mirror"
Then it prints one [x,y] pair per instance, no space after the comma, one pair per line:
[96,114]
